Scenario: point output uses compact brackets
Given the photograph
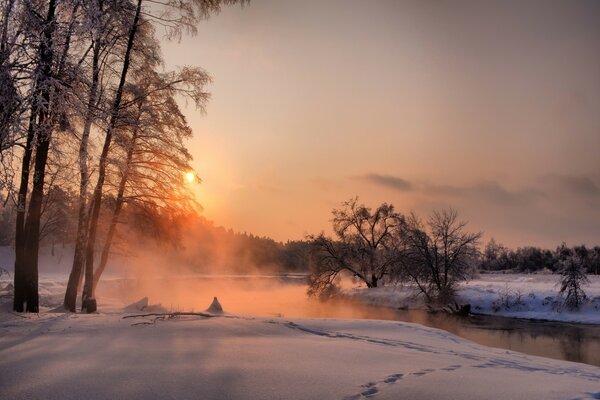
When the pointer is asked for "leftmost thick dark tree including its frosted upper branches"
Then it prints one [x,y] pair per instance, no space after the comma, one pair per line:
[47,29]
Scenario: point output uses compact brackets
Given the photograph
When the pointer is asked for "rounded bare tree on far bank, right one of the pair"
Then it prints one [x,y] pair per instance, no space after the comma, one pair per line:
[439,254]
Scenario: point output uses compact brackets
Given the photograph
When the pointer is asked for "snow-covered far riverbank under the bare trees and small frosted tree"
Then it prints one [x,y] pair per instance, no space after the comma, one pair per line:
[510,295]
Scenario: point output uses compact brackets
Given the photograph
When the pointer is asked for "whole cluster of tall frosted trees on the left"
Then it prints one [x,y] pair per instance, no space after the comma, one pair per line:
[86,105]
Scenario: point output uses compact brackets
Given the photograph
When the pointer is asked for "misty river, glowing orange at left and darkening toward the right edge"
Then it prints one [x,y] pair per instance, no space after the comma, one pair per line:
[286,297]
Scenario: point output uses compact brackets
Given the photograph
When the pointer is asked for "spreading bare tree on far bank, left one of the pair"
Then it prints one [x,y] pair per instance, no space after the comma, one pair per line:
[365,246]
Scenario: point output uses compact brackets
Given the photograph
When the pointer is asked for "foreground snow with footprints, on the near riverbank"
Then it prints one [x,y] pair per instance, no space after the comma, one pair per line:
[117,355]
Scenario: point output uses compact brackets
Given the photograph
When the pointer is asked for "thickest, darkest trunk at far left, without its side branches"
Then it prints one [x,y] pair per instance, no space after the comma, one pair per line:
[30,234]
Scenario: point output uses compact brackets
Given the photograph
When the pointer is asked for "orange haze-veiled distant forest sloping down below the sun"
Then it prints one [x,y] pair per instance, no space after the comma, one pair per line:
[192,242]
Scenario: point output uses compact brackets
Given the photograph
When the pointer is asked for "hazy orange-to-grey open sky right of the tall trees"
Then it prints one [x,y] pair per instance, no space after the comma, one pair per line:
[491,108]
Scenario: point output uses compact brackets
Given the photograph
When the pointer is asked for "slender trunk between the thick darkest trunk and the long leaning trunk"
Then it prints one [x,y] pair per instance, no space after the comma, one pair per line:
[70,300]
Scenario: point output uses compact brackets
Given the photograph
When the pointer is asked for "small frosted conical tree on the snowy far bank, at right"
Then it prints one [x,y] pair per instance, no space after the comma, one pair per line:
[573,277]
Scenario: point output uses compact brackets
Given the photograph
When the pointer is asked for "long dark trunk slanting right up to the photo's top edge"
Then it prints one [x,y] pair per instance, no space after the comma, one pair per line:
[97,196]
